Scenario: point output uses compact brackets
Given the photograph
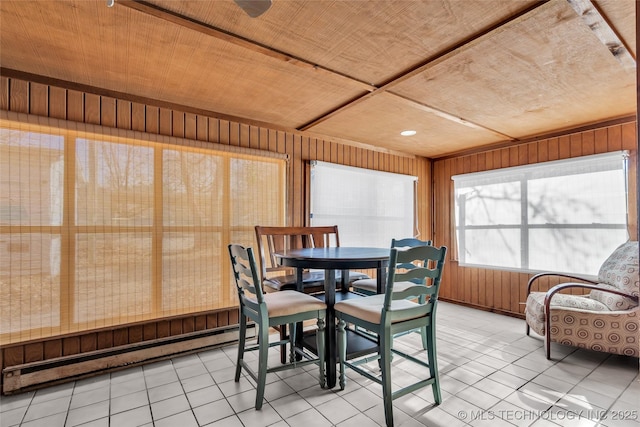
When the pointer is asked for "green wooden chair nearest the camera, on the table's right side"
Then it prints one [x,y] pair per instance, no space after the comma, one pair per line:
[392,313]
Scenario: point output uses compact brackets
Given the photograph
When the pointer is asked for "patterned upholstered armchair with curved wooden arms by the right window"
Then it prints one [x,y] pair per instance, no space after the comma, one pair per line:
[607,318]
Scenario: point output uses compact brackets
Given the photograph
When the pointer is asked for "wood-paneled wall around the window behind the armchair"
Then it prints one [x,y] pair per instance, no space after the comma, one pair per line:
[503,291]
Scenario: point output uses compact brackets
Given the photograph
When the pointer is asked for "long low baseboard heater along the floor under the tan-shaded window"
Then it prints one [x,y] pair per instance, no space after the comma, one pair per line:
[32,375]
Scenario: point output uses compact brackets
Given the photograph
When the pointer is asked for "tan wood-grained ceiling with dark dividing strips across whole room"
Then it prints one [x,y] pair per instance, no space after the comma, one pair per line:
[463,74]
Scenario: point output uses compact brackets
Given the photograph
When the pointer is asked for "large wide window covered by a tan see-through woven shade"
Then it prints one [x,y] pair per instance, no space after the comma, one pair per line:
[100,230]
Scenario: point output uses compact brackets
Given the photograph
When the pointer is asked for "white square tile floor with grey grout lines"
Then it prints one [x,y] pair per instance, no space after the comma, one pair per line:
[492,374]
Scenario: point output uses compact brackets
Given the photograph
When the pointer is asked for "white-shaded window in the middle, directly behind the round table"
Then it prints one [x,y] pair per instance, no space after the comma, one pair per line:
[369,207]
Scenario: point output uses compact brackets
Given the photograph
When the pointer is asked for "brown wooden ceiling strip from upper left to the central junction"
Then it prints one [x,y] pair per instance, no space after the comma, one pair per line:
[210,30]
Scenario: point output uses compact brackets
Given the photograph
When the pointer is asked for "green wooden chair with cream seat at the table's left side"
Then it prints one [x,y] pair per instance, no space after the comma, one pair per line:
[272,310]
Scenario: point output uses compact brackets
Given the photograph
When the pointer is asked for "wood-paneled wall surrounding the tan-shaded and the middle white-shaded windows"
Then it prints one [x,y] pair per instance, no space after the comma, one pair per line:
[89,106]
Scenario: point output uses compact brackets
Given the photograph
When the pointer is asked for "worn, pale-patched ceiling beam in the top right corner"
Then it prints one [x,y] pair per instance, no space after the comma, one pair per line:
[604,31]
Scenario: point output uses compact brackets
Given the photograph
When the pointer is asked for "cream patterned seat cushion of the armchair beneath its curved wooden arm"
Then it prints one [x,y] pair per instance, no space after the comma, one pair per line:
[534,311]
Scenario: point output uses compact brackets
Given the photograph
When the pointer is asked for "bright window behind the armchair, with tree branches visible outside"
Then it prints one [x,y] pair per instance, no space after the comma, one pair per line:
[564,216]
